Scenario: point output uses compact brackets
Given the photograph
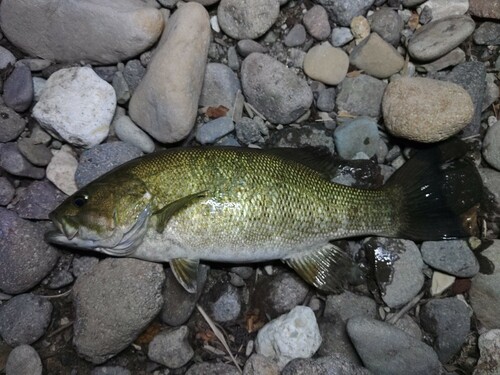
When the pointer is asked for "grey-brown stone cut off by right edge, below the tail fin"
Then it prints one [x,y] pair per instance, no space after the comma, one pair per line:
[485,290]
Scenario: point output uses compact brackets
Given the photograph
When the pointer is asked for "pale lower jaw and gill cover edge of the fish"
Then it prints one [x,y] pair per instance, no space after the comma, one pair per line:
[118,243]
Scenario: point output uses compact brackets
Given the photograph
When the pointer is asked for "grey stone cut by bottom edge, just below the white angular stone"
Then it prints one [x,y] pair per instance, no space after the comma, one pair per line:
[323,366]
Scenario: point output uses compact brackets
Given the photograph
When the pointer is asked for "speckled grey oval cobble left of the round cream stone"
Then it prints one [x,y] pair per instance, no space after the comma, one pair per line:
[263,77]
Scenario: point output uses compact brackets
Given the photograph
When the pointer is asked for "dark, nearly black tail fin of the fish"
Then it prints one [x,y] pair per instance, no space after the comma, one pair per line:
[439,194]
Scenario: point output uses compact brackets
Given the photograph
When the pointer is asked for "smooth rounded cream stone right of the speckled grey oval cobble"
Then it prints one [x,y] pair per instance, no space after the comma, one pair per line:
[326,64]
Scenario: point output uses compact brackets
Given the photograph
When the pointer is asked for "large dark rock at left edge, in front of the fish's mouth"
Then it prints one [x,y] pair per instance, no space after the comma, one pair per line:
[25,258]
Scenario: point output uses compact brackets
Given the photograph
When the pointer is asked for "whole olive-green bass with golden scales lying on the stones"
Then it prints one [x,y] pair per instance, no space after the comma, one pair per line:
[246,205]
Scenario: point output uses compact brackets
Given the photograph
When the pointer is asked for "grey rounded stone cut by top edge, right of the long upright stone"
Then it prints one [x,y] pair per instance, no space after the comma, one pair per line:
[242,20]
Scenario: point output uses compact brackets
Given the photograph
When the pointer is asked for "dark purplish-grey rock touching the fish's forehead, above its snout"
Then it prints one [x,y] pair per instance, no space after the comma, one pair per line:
[38,200]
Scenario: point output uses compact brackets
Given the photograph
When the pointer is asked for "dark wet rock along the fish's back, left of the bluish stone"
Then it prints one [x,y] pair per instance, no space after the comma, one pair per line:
[303,137]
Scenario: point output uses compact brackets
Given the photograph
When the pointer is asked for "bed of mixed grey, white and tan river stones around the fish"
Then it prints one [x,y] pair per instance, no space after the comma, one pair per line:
[88,85]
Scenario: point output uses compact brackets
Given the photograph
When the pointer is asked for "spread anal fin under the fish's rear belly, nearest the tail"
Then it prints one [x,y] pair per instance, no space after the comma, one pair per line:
[327,268]
